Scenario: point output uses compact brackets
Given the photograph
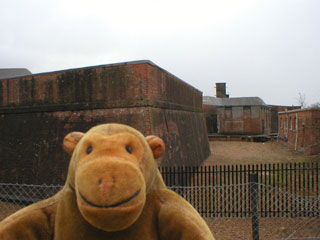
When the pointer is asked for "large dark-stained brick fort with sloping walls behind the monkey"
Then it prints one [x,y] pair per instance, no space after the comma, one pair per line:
[37,111]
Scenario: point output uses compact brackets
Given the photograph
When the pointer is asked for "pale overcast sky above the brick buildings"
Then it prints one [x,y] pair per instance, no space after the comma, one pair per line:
[265,48]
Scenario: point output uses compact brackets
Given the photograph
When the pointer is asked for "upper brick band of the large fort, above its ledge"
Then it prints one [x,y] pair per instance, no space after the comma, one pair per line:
[108,86]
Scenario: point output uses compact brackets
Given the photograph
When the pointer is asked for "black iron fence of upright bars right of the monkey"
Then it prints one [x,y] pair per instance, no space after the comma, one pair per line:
[284,190]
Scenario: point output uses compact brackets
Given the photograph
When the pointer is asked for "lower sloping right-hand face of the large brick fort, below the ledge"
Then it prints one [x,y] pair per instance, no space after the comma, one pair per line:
[175,126]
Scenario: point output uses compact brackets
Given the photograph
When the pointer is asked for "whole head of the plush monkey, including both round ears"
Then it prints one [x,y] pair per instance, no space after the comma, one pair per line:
[111,170]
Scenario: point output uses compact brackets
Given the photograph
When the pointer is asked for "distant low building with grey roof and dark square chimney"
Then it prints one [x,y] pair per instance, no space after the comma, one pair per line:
[242,116]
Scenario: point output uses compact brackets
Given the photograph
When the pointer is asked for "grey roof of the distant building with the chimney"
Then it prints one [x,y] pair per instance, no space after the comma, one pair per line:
[241,101]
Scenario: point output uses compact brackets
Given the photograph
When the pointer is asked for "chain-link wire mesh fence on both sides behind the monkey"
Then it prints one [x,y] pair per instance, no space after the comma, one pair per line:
[231,211]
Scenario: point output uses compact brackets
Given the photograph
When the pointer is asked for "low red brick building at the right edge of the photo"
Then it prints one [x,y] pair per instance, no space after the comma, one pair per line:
[300,130]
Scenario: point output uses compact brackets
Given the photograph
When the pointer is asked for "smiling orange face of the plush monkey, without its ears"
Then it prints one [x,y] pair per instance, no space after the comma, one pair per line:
[109,182]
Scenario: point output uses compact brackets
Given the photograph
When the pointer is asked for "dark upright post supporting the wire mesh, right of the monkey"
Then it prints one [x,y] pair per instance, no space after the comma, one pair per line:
[253,180]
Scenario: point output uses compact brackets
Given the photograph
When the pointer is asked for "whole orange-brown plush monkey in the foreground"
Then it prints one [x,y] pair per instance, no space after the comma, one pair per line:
[114,190]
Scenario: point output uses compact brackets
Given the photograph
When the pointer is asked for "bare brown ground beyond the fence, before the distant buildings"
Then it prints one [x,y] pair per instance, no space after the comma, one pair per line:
[225,153]
